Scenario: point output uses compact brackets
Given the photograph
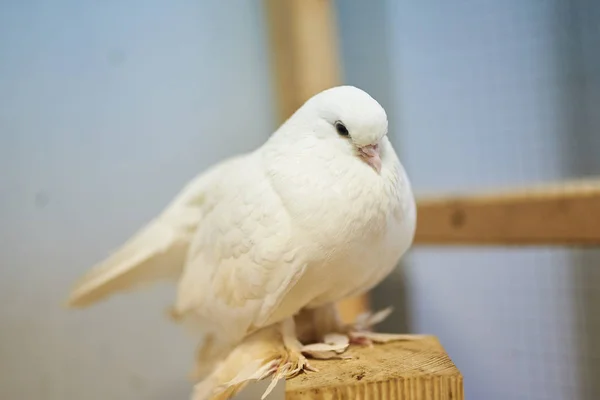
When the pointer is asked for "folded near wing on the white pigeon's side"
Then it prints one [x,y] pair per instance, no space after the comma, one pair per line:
[243,259]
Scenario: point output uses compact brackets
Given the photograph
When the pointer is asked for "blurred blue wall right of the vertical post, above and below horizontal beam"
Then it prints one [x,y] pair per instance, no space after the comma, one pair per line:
[482,95]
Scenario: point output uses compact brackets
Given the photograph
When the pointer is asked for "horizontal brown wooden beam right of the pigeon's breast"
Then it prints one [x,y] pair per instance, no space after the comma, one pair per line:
[566,213]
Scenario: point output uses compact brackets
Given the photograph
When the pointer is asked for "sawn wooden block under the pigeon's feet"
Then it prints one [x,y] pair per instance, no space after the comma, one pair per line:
[416,369]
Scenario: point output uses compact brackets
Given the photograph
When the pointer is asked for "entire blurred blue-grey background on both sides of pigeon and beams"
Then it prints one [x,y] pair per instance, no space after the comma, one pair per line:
[108,108]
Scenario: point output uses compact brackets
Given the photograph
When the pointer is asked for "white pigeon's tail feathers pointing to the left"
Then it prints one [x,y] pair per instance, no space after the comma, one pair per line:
[155,253]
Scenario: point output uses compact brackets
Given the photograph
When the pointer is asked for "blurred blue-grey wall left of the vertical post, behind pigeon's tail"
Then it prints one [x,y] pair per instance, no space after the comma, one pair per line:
[106,110]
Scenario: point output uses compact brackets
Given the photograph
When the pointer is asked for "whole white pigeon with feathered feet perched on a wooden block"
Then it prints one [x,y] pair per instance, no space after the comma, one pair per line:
[263,245]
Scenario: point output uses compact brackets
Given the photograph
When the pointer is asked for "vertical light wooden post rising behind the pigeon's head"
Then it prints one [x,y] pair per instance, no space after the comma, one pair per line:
[305,61]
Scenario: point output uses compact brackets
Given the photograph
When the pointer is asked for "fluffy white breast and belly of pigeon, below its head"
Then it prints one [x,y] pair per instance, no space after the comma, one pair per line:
[350,224]
